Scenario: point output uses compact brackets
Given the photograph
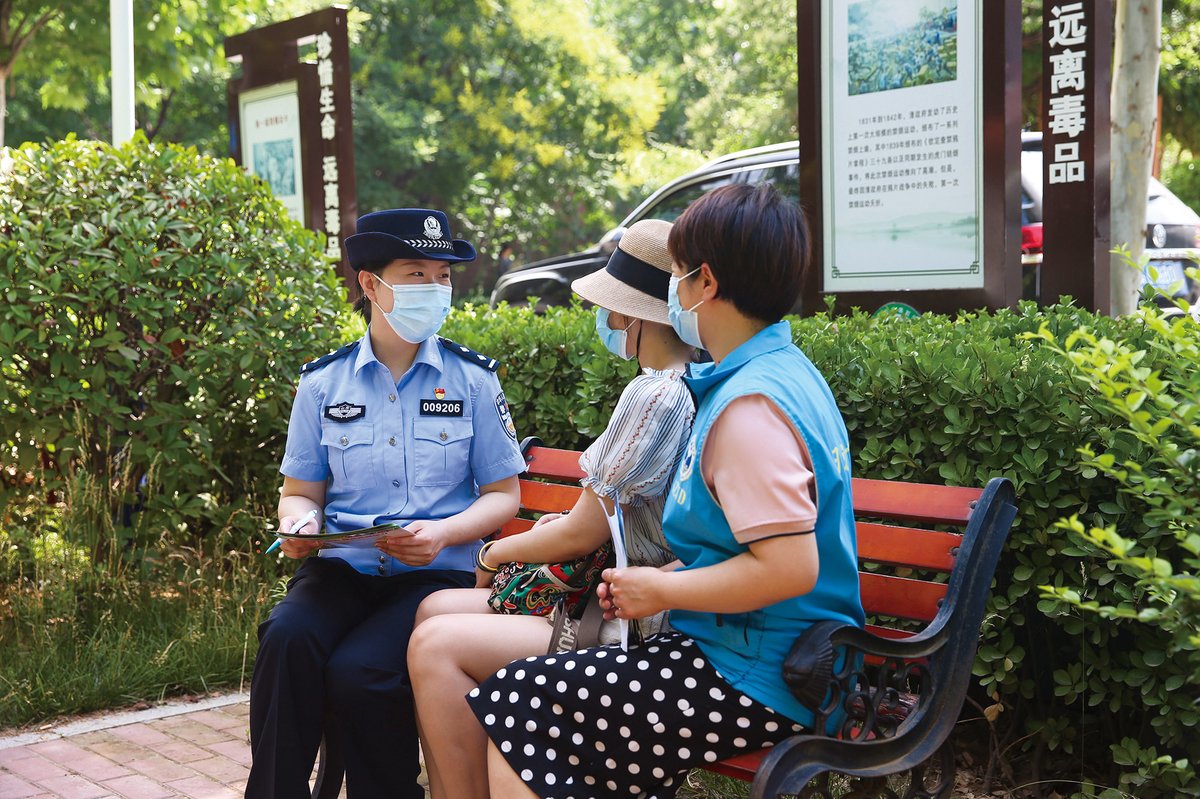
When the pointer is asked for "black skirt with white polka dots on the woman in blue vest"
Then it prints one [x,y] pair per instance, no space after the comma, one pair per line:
[603,723]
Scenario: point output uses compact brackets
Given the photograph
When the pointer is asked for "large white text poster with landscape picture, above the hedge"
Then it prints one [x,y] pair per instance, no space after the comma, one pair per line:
[903,160]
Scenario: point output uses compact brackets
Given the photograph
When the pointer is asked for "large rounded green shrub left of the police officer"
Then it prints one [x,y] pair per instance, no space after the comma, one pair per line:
[158,307]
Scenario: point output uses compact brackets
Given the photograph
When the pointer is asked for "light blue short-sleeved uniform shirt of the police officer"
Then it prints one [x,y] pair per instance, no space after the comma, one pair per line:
[417,449]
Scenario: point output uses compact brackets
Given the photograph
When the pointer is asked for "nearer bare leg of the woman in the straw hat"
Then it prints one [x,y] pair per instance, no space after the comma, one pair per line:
[448,657]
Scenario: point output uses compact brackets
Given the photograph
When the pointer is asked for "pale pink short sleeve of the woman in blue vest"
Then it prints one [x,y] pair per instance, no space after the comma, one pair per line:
[759,468]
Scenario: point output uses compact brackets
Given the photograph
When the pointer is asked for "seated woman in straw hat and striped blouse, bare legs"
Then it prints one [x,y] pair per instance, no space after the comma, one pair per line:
[459,640]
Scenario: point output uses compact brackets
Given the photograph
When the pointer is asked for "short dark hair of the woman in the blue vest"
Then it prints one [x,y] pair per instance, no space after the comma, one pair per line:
[754,239]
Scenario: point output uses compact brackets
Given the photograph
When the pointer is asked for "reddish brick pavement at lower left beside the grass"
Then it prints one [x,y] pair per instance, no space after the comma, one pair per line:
[196,750]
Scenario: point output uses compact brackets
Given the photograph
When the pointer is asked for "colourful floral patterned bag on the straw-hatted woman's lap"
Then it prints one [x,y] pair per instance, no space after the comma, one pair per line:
[536,588]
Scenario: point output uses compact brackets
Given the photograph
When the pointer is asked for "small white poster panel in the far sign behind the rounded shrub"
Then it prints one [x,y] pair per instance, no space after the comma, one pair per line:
[271,142]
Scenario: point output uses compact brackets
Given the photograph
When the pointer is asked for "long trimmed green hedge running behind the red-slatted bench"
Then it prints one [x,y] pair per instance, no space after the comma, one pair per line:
[955,401]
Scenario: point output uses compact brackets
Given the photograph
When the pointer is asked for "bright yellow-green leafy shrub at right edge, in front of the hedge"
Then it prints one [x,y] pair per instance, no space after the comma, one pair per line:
[1155,569]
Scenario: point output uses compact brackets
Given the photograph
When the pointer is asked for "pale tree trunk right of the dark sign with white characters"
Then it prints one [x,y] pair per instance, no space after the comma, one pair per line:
[1135,111]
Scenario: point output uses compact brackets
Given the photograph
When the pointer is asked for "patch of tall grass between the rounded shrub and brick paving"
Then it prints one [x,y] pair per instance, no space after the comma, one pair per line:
[93,617]
